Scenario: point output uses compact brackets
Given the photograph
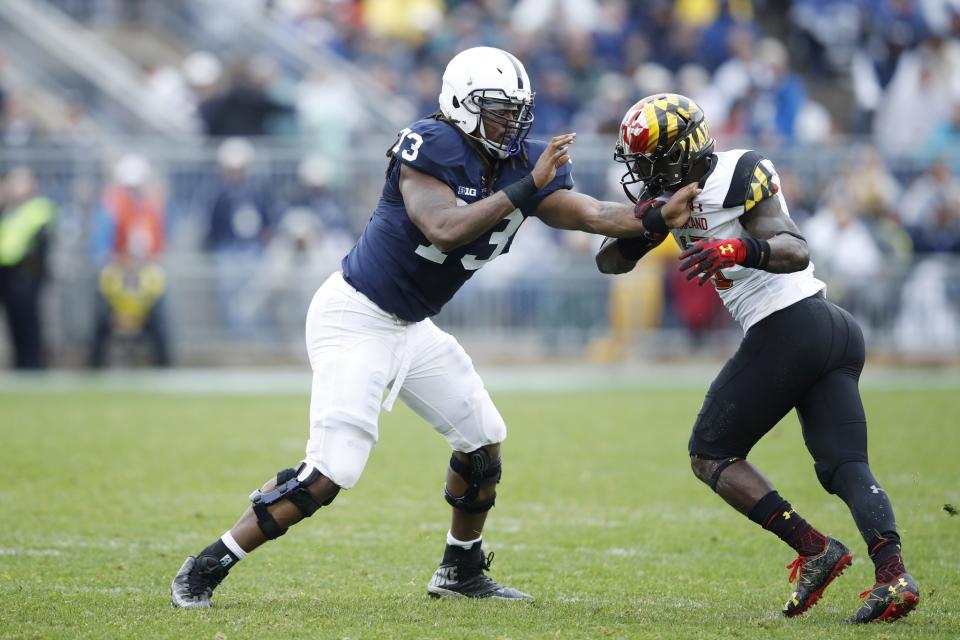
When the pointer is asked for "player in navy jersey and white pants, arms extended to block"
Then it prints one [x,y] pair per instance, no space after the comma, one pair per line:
[459,184]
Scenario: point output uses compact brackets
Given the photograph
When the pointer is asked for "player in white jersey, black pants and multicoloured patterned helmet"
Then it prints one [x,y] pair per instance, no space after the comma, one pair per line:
[799,350]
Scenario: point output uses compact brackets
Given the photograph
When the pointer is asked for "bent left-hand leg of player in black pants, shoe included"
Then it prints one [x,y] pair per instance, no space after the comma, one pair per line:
[764,379]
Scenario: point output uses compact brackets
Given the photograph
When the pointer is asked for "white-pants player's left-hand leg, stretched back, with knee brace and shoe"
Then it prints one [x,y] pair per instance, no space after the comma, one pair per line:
[352,350]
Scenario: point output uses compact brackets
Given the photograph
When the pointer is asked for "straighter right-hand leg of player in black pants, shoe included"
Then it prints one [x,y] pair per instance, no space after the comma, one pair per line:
[835,432]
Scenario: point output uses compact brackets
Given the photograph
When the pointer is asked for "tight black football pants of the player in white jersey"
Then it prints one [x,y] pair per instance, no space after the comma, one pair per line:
[808,356]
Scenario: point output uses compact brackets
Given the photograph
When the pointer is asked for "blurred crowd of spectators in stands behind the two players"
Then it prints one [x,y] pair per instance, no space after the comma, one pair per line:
[806,75]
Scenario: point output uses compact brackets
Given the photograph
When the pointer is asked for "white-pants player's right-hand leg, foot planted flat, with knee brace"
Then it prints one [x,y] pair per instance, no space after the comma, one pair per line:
[444,389]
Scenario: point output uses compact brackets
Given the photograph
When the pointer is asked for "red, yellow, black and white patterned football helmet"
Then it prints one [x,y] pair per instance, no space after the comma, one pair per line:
[661,137]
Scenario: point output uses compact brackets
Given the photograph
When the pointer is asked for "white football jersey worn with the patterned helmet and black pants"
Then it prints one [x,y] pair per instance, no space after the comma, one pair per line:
[739,180]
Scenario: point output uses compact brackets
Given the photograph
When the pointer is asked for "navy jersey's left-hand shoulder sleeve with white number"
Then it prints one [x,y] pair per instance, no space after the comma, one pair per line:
[432,147]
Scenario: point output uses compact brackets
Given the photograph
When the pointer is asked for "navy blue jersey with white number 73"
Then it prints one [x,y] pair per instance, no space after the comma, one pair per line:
[394,264]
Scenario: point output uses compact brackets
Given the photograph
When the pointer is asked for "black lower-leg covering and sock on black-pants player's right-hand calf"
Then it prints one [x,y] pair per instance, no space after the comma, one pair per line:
[870,507]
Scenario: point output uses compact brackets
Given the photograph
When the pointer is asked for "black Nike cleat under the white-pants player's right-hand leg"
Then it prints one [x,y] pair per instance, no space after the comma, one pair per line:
[464,577]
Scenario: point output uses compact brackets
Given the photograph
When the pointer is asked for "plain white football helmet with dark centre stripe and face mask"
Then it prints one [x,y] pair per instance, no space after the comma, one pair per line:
[484,82]
